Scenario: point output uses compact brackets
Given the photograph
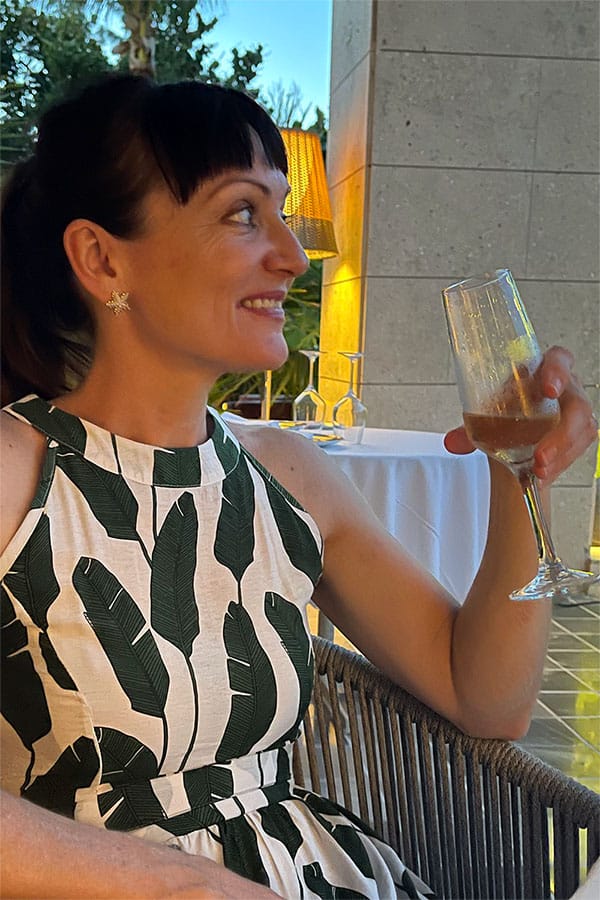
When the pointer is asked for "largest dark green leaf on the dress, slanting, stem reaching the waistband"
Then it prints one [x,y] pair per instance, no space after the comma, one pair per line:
[128,643]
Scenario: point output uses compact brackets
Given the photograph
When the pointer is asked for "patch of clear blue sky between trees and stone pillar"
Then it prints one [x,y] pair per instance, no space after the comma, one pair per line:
[296,37]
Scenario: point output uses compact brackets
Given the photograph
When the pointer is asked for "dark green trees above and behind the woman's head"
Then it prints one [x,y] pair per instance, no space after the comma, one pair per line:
[47,46]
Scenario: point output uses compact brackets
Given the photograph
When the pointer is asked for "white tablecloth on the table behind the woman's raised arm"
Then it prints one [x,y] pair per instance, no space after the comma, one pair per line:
[435,503]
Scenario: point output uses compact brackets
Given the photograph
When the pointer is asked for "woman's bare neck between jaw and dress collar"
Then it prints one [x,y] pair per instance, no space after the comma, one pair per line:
[163,412]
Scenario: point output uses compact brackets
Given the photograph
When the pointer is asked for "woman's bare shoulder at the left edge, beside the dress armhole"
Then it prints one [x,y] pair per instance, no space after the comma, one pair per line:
[22,451]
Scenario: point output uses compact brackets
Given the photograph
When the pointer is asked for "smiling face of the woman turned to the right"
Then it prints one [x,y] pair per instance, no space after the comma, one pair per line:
[207,280]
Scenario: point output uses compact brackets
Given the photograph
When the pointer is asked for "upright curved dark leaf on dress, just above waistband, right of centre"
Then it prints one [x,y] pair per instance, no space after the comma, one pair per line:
[252,681]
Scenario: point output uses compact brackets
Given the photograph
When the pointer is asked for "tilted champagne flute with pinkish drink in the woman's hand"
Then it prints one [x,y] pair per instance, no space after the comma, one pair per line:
[496,357]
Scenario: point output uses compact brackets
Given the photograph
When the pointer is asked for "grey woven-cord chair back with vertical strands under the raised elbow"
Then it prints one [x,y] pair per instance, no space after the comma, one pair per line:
[473,817]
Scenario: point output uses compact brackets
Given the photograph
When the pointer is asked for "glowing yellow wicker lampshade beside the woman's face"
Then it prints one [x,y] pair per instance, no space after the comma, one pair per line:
[307,206]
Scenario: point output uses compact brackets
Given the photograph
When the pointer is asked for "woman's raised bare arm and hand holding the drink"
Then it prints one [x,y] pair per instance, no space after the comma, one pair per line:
[479,664]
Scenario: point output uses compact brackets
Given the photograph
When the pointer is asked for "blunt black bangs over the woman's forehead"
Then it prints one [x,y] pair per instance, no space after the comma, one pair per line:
[196,131]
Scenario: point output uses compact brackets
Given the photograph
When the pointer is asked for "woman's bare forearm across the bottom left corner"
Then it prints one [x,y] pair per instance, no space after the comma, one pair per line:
[46,855]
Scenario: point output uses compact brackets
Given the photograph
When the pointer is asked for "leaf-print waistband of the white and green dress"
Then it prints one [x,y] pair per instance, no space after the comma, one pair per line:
[185,801]
